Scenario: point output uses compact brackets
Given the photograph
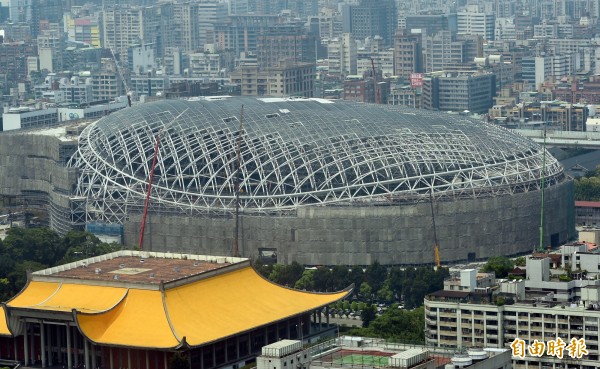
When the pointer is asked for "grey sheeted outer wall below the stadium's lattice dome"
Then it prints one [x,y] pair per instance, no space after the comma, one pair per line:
[506,225]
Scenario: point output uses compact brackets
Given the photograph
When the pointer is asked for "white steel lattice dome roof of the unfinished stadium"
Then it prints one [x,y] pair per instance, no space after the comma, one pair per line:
[296,152]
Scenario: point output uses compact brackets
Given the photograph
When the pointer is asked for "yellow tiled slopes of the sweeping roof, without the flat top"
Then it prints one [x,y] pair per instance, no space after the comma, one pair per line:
[201,312]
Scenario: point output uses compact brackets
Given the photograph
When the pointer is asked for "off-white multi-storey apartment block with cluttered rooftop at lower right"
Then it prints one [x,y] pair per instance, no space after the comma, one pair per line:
[550,302]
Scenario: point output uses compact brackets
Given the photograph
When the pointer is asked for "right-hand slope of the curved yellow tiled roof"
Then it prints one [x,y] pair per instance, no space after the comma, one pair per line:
[234,302]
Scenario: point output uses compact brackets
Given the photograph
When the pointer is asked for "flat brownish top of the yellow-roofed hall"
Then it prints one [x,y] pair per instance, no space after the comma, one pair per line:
[137,267]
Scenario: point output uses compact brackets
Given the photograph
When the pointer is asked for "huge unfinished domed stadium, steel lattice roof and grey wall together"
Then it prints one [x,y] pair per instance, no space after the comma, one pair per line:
[320,182]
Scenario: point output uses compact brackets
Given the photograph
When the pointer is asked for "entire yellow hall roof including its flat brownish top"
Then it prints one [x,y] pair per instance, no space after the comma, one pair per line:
[225,298]
